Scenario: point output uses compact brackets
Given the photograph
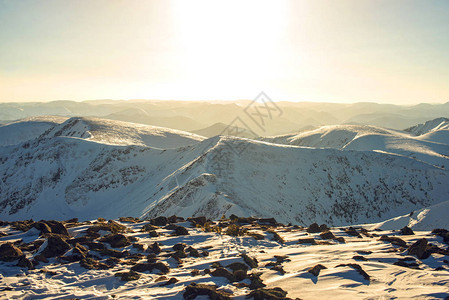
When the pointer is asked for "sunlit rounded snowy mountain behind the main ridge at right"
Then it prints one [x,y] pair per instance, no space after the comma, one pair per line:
[372,138]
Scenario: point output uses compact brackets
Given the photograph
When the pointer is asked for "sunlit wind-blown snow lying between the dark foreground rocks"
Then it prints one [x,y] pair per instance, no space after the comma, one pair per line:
[335,282]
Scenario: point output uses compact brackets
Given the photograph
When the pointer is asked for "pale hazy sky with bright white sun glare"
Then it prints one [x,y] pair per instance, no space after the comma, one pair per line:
[342,51]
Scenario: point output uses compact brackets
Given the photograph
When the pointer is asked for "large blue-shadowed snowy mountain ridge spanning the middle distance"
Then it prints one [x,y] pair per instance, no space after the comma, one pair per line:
[87,167]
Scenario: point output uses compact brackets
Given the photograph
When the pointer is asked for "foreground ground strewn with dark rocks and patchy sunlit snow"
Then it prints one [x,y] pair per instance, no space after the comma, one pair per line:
[241,258]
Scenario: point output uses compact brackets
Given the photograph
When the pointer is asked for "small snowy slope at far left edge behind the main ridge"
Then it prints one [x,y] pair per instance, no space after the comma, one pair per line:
[13,133]
